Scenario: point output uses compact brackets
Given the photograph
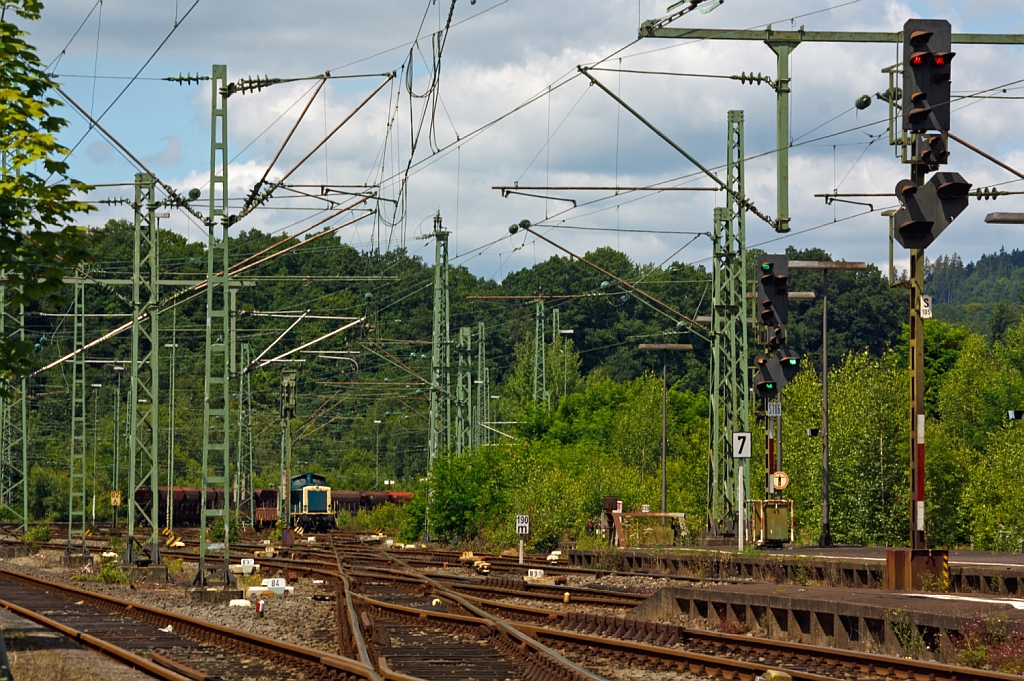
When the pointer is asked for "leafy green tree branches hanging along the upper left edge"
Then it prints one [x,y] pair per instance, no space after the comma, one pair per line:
[39,240]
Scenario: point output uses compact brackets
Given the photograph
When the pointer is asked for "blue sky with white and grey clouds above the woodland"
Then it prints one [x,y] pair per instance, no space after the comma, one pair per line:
[507,106]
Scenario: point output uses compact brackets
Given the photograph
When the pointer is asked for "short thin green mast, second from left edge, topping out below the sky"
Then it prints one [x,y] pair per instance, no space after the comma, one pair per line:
[76,493]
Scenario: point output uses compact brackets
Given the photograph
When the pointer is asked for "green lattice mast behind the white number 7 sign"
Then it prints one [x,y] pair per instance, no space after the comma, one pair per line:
[731,378]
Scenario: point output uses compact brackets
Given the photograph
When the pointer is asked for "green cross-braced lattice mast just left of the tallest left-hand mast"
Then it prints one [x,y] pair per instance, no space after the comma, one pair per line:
[144,400]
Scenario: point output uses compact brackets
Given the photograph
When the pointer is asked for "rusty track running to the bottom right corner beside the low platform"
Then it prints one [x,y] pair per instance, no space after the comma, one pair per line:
[584,637]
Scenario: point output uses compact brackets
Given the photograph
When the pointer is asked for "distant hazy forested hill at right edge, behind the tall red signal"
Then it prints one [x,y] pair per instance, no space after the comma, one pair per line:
[985,296]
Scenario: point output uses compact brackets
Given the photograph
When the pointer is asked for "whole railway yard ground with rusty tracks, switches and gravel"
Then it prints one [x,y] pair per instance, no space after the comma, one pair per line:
[357,610]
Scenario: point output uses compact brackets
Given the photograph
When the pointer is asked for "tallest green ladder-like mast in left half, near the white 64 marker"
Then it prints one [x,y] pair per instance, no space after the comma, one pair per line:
[217,405]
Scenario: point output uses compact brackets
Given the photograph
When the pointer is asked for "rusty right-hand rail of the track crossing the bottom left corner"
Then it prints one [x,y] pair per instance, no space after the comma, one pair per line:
[263,645]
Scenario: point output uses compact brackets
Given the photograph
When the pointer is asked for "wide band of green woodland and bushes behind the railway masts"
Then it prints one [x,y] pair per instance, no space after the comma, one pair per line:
[363,397]
